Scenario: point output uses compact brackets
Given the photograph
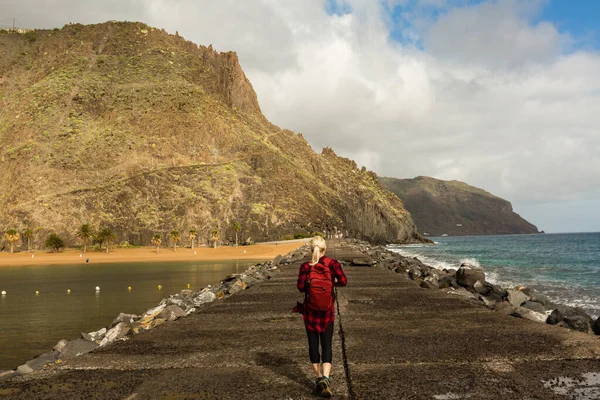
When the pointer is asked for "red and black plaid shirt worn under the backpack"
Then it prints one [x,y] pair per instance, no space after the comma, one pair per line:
[313,319]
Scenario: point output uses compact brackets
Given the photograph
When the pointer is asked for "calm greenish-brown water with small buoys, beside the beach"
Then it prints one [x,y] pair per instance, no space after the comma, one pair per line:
[31,324]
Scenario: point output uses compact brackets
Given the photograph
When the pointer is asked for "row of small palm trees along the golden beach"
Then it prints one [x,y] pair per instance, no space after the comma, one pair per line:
[105,236]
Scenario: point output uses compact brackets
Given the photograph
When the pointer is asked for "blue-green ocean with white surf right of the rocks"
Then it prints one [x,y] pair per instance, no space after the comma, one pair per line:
[565,267]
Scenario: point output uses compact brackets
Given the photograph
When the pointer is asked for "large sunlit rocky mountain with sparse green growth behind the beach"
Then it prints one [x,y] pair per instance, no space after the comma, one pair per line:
[126,126]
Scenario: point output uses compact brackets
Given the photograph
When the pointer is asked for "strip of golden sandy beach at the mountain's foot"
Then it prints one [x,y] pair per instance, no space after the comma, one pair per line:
[265,251]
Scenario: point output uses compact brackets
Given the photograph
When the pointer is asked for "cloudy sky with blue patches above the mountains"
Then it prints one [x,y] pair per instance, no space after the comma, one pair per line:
[501,94]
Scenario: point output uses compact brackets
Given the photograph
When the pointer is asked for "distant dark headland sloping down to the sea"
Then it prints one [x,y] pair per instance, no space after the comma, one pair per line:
[455,208]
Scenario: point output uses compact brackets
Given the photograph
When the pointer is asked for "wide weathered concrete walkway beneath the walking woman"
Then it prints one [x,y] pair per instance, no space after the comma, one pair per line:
[397,341]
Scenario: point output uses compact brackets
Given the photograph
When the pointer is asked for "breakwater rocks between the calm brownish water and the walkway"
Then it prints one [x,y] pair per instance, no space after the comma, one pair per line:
[169,309]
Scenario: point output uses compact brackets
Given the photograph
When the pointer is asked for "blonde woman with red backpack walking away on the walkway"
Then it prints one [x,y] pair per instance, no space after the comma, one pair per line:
[318,319]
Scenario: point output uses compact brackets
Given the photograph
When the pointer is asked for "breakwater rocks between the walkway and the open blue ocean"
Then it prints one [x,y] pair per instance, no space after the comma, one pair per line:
[468,282]
